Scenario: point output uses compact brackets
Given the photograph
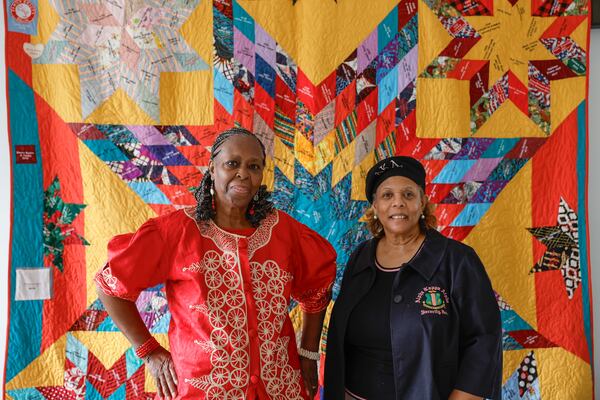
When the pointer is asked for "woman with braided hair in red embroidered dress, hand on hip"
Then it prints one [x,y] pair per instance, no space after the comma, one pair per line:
[230,266]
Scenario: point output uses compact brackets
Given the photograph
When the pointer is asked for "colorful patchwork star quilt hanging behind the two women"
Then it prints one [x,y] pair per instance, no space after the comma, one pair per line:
[114,104]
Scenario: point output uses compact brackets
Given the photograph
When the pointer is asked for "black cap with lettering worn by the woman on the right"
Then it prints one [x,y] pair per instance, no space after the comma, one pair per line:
[394,166]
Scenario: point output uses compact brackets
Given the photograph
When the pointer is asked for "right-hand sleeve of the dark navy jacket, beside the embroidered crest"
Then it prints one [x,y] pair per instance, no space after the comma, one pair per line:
[480,354]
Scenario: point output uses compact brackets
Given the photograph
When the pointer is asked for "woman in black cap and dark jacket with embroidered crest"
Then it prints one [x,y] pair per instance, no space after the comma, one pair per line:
[416,317]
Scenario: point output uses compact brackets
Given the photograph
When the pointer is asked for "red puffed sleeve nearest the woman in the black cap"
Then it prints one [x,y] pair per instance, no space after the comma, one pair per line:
[314,272]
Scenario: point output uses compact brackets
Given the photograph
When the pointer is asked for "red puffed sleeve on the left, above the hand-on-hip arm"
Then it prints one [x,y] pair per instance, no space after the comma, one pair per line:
[135,262]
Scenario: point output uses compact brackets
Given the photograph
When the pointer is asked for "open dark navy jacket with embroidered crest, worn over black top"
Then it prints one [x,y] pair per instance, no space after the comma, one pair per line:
[444,319]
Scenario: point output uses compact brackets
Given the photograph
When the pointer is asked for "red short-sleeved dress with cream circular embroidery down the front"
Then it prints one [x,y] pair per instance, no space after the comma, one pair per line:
[230,334]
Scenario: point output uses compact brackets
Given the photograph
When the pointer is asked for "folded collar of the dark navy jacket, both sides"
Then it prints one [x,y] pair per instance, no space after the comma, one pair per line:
[425,262]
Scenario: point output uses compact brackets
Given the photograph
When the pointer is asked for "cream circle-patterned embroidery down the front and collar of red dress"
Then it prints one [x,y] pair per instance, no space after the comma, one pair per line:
[225,307]
